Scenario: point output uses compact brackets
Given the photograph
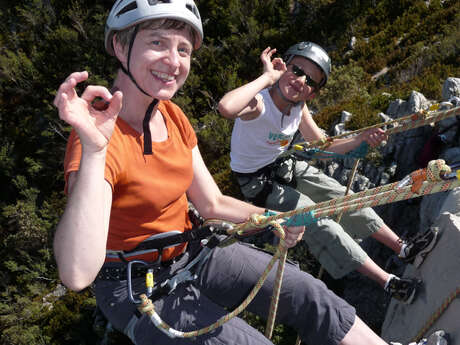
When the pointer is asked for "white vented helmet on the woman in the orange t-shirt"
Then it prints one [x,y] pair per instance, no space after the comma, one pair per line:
[126,13]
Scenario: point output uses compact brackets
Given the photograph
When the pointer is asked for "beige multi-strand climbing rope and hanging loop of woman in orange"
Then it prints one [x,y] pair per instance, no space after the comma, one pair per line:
[421,182]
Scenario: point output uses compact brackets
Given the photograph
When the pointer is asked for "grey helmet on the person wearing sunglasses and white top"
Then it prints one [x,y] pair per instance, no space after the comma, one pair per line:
[312,52]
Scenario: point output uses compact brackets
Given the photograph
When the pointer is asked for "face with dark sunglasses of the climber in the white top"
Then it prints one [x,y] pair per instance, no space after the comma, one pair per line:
[294,83]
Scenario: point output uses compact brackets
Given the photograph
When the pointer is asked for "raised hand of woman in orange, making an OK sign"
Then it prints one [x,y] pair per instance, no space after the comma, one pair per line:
[94,126]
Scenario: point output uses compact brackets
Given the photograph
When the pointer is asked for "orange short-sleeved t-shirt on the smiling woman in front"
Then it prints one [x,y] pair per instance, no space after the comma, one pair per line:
[148,190]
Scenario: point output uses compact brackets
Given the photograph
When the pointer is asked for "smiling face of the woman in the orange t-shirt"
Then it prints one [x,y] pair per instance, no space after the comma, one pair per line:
[160,60]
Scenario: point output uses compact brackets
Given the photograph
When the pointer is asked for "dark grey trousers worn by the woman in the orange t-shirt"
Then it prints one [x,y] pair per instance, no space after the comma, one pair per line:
[318,315]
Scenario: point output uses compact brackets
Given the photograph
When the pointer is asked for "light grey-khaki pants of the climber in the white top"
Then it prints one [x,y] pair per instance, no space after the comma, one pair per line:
[334,245]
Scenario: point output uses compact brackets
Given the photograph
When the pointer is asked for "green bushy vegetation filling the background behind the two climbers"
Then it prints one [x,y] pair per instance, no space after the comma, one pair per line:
[42,42]
